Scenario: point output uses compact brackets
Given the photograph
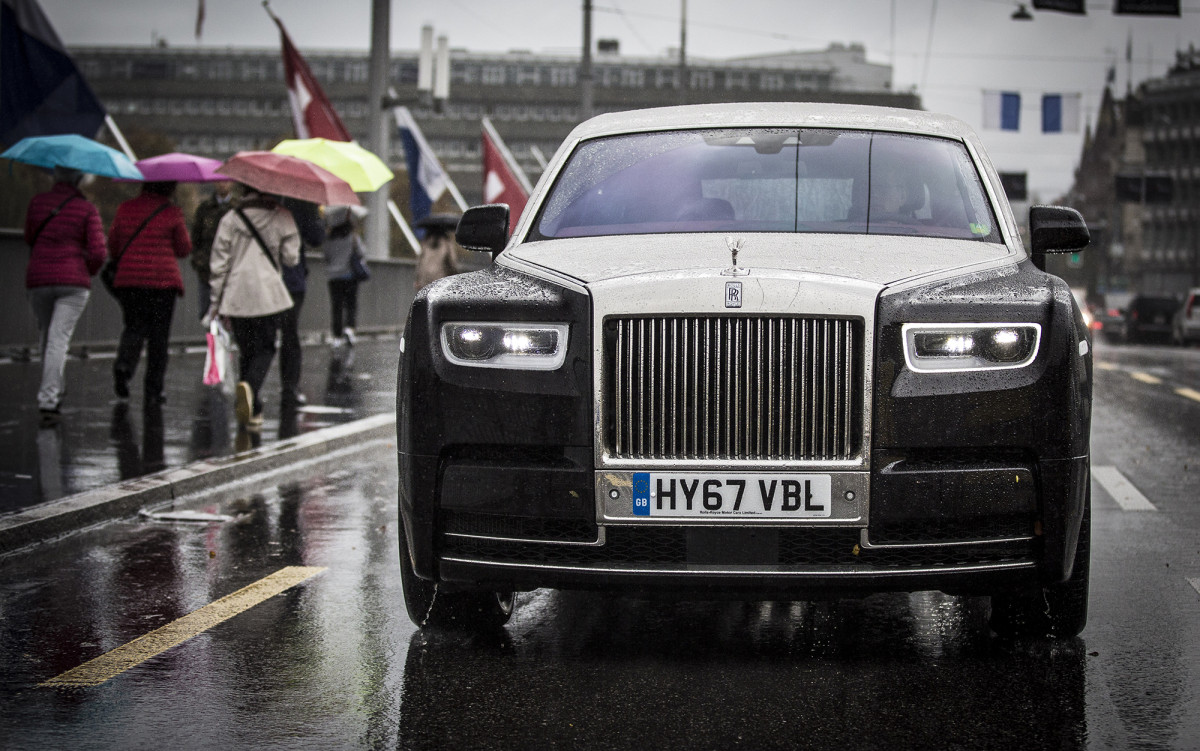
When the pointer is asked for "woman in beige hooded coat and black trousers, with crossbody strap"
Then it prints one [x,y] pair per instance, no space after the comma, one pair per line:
[249,291]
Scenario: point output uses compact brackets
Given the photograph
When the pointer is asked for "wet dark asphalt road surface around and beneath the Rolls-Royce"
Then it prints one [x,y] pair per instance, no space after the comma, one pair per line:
[335,663]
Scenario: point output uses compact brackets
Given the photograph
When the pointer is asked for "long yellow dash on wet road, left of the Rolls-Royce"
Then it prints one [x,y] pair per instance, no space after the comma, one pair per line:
[112,664]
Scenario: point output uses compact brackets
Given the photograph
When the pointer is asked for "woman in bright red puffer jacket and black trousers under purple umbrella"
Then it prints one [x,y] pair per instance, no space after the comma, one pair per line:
[147,239]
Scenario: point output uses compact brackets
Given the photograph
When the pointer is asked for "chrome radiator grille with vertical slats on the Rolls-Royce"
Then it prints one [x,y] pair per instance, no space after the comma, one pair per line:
[734,388]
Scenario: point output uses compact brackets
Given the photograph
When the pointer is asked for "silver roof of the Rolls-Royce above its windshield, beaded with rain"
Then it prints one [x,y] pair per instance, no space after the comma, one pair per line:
[776,115]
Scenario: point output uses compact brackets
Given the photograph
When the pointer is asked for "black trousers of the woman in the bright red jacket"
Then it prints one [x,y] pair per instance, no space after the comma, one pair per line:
[147,315]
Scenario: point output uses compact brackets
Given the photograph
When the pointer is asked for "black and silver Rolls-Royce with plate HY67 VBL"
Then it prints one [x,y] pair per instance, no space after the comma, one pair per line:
[752,351]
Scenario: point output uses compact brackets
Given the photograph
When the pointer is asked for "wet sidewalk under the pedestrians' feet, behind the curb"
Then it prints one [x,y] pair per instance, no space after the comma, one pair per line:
[101,441]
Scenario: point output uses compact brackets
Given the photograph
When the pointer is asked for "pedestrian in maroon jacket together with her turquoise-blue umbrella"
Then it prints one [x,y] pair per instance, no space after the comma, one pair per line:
[67,242]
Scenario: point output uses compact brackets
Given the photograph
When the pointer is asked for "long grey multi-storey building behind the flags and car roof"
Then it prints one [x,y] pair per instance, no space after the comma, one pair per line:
[215,103]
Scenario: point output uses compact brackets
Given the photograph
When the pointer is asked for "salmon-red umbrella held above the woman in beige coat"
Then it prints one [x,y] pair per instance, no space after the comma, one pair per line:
[289,176]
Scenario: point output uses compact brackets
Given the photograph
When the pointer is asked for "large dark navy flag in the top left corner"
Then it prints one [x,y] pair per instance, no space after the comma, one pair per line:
[41,92]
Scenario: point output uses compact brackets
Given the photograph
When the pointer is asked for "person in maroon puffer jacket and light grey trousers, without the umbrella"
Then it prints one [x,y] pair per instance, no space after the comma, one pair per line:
[67,242]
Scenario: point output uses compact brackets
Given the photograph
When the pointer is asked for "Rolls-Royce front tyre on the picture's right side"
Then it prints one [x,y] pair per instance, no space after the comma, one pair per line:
[1059,611]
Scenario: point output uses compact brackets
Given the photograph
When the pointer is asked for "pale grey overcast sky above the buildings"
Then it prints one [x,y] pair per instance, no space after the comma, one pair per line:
[949,51]
